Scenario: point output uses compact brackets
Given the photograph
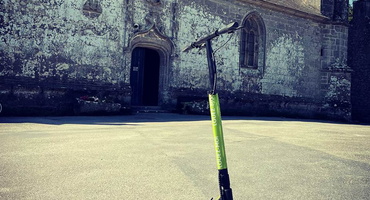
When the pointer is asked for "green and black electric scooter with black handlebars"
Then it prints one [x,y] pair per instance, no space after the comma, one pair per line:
[223,175]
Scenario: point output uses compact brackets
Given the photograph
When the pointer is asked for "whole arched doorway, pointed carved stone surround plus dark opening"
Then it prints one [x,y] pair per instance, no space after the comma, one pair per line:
[160,47]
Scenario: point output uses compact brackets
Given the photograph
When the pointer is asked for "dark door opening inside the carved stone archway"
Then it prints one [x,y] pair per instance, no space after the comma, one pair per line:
[144,77]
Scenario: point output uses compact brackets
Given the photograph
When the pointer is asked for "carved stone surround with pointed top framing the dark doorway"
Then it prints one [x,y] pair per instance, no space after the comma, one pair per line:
[155,40]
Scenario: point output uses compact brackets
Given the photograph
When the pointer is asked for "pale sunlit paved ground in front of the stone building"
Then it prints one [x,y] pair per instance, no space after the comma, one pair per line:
[169,156]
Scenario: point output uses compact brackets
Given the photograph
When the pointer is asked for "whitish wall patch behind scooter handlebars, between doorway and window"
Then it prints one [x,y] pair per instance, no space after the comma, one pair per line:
[196,22]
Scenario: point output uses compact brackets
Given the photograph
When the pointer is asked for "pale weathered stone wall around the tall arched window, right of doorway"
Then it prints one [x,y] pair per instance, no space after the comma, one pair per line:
[292,56]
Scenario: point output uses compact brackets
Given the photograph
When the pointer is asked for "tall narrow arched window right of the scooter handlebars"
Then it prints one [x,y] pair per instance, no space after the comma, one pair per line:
[252,42]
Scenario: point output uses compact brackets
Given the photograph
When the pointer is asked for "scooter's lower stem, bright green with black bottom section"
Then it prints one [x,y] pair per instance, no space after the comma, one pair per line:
[223,176]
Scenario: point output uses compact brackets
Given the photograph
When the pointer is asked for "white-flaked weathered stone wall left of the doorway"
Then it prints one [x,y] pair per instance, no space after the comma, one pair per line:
[53,45]
